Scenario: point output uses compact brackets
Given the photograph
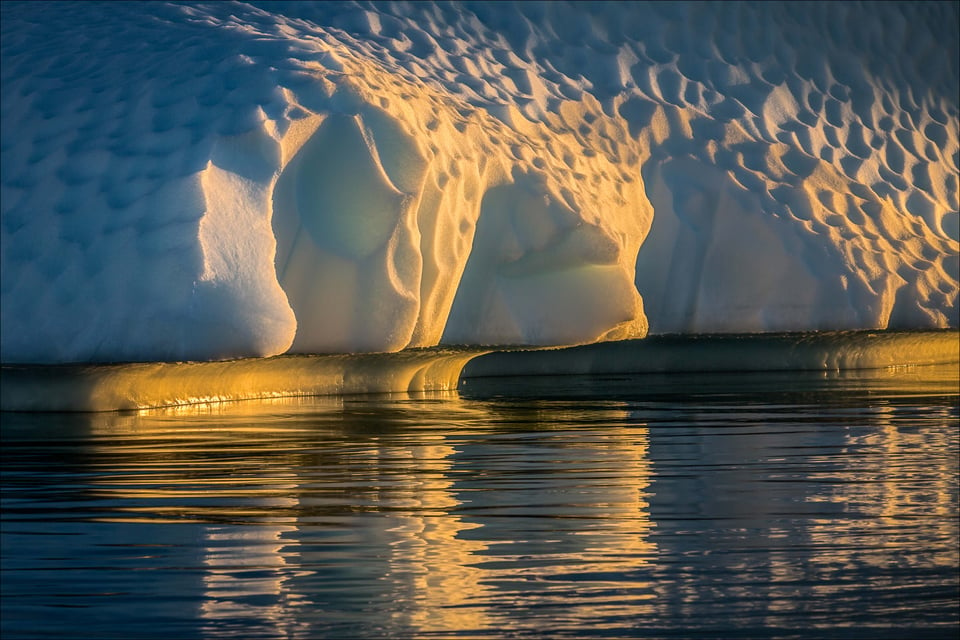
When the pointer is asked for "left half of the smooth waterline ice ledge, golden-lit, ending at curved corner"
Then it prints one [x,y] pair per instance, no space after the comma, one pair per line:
[144,385]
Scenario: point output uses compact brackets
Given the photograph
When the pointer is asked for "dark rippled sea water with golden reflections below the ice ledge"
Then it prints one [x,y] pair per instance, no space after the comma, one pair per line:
[700,506]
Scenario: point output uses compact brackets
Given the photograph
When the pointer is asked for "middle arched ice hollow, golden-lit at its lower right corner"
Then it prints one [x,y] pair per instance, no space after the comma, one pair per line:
[539,274]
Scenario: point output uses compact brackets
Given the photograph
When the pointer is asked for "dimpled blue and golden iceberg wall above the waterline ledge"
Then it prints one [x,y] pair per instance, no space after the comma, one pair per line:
[216,180]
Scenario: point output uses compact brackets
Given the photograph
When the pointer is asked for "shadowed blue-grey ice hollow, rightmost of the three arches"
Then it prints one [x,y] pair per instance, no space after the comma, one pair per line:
[698,276]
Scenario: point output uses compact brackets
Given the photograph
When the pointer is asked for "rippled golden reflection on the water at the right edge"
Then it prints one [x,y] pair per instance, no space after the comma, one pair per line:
[876,518]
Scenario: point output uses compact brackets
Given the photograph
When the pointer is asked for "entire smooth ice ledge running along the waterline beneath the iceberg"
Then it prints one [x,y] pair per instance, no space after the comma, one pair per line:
[138,386]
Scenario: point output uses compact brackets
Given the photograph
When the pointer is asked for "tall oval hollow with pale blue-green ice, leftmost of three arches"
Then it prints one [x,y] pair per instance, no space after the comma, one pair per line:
[347,255]
